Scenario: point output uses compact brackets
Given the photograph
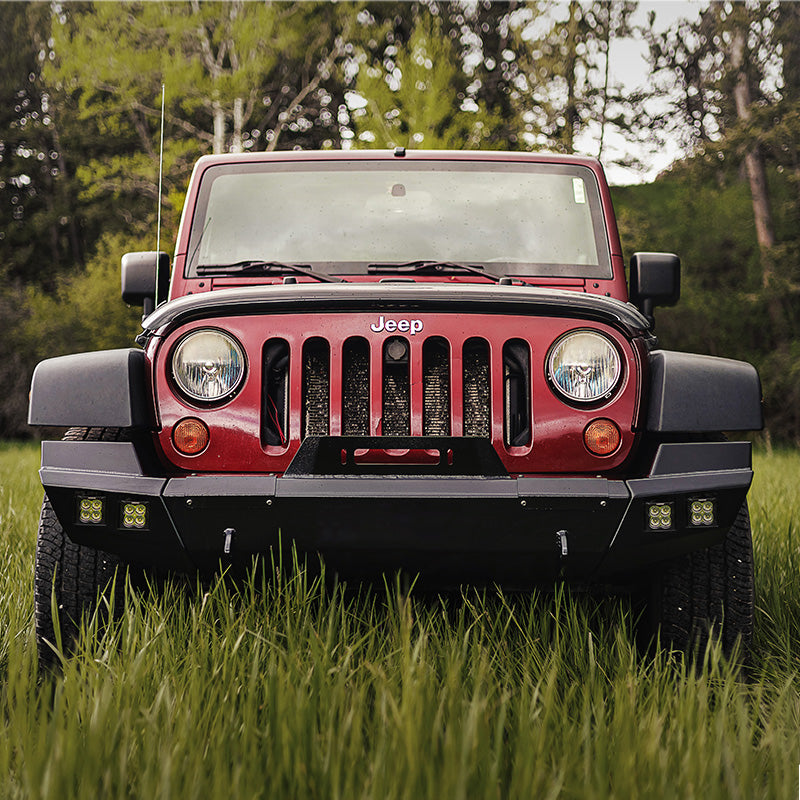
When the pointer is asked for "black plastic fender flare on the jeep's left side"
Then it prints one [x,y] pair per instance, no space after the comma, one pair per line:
[106,388]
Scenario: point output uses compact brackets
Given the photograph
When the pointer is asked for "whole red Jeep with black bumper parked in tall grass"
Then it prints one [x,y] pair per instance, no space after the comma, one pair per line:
[424,361]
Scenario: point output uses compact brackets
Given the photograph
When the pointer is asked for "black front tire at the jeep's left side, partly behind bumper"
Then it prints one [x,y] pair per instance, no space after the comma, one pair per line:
[71,575]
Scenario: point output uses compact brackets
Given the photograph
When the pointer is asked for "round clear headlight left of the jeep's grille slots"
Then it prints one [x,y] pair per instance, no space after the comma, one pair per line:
[208,365]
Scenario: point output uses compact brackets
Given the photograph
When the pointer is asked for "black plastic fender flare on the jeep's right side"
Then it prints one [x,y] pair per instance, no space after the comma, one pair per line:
[692,393]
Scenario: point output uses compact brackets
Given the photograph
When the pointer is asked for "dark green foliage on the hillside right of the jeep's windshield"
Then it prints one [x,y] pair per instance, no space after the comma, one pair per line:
[704,214]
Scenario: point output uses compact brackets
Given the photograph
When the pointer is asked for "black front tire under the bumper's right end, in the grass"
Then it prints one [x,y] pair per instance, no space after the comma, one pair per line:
[709,594]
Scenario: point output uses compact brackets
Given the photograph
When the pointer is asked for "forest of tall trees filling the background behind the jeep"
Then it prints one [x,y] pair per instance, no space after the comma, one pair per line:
[80,97]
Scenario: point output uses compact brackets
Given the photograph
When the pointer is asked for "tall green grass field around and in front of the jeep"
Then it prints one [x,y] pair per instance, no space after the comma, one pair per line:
[291,691]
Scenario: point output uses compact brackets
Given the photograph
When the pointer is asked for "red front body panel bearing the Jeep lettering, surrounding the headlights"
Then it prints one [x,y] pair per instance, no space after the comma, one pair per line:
[557,442]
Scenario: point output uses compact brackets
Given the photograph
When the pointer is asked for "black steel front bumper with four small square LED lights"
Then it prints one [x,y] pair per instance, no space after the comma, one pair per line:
[450,529]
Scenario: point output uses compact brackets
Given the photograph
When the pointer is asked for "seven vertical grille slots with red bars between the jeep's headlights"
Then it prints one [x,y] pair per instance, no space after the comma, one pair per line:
[397,387]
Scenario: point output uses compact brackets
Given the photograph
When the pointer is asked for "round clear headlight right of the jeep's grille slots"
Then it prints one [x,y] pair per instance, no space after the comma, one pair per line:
[584,366]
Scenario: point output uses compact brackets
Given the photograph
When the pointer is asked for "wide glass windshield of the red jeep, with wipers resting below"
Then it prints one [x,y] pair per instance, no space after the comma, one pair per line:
[353,217]
